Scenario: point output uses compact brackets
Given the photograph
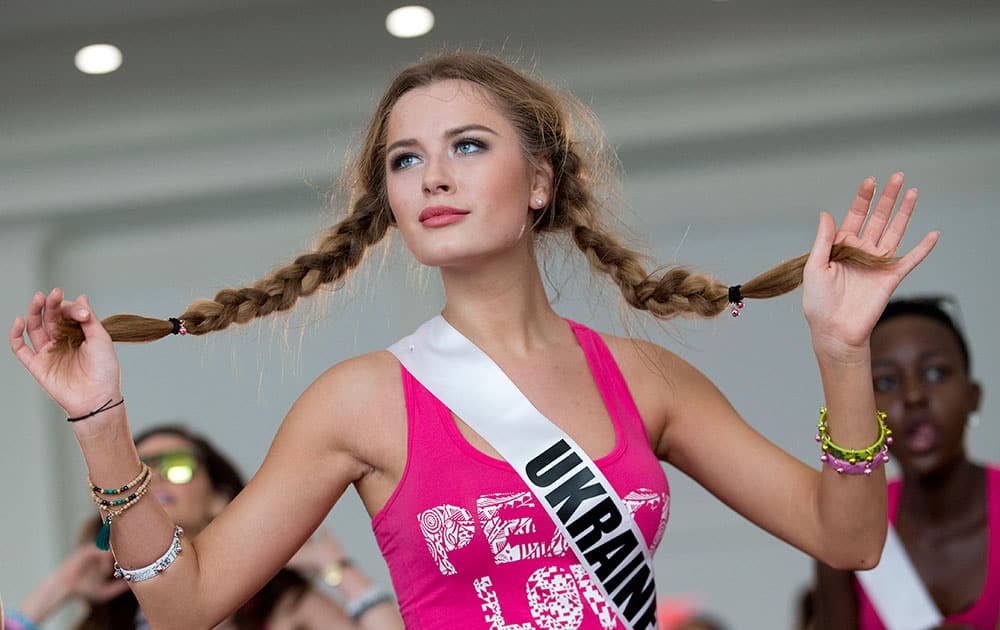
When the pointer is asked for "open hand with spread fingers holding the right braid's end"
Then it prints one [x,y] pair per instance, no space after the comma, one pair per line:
[842,302]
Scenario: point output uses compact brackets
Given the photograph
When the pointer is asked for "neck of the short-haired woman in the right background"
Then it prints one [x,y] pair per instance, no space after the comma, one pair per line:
[951,491]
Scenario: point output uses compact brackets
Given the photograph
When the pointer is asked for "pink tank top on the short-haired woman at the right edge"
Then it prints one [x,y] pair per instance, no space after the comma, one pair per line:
[985,612]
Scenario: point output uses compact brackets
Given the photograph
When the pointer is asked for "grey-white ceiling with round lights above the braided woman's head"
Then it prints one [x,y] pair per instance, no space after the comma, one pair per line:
[220,96]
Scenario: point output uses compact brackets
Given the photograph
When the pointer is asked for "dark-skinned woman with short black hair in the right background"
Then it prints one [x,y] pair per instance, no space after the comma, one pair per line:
[945,508]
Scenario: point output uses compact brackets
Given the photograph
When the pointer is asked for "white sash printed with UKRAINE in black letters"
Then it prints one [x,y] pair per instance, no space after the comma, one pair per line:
[566,482]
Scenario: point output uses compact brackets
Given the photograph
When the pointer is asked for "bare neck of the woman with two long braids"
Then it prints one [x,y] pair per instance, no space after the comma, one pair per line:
[501,305]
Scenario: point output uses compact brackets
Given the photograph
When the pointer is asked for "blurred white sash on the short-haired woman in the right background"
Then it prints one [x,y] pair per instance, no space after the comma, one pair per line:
[896,591]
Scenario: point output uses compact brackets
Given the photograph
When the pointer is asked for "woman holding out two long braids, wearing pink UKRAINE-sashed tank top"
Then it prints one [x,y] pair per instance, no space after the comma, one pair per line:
[473,163]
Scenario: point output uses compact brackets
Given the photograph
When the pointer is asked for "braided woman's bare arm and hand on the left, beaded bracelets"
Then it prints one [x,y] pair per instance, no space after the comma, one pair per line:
[309,465]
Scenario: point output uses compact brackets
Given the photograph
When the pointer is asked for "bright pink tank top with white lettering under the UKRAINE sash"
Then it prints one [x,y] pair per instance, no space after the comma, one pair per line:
[467,544]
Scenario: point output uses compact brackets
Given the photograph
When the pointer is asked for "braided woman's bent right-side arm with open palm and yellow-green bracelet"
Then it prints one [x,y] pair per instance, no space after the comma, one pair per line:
[838,519]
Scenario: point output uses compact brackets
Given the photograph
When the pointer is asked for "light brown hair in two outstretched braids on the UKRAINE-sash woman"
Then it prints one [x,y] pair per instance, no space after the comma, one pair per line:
[540,115]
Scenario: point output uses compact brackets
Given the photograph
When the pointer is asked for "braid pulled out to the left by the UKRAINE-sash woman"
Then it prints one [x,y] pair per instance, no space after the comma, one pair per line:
[340,251]
